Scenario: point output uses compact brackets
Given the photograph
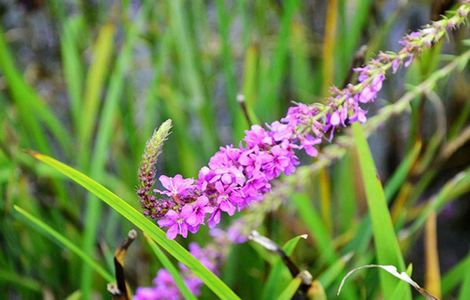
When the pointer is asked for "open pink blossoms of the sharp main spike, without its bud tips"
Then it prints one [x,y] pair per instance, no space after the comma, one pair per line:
[236,177]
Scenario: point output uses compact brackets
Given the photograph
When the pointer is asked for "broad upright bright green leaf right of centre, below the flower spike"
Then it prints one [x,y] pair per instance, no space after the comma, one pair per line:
[386,244]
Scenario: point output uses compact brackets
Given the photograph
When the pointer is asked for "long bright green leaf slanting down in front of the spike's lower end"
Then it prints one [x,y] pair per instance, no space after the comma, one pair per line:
[144,224]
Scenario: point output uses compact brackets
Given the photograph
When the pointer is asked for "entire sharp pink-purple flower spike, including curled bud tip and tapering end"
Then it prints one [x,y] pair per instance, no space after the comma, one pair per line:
[235,177]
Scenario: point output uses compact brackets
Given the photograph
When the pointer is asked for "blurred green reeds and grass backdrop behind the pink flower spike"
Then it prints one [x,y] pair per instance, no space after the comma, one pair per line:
[88,81]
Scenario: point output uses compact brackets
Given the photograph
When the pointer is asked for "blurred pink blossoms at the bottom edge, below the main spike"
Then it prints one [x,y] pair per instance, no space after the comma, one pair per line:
[164,286]
